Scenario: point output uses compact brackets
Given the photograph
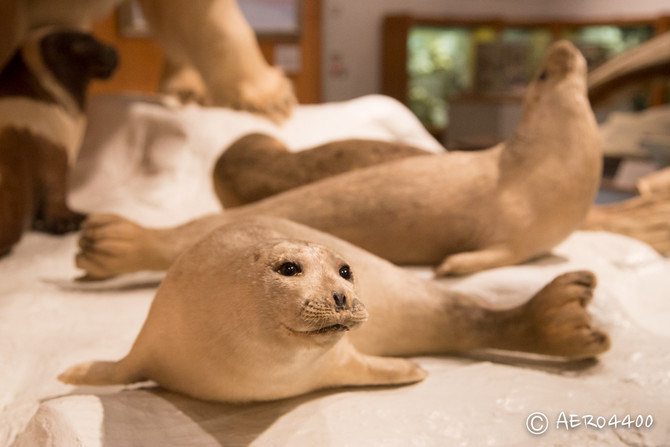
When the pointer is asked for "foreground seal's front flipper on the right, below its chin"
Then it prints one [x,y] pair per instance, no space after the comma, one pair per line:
[352,368]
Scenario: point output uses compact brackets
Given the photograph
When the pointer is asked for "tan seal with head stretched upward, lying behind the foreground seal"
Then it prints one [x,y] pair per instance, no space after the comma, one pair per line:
[464,211]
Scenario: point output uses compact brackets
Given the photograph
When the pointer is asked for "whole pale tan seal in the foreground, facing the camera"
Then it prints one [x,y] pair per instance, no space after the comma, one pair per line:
[261,308]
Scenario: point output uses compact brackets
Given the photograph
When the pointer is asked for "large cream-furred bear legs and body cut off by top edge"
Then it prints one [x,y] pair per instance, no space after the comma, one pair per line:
[212,51]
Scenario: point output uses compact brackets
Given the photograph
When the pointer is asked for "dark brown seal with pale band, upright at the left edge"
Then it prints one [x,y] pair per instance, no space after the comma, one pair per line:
[42,91]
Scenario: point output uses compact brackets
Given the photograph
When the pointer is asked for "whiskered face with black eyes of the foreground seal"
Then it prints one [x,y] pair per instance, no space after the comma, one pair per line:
[312,290]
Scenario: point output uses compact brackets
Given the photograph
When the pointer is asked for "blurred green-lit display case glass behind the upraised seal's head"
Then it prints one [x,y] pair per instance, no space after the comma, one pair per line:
[444,62]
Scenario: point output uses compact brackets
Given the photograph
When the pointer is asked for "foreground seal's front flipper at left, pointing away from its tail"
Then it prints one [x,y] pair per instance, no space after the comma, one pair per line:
[100,373]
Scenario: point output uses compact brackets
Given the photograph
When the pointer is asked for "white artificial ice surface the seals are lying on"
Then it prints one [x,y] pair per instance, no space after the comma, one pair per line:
[48,323]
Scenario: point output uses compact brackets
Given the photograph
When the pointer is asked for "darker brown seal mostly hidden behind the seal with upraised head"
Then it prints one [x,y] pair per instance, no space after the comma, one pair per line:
[257,166]
